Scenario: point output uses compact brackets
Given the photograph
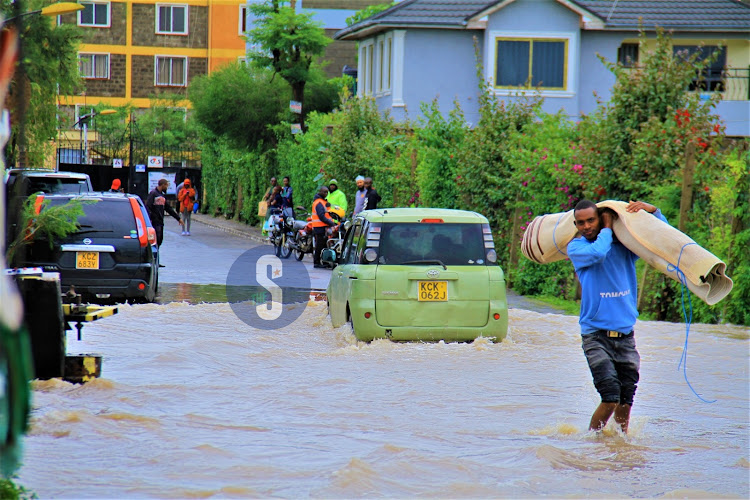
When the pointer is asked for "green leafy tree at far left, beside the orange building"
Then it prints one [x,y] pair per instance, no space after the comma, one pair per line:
[49,66]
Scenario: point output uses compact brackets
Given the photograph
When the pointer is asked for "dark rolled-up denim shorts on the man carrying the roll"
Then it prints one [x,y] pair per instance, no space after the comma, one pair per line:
[614,365]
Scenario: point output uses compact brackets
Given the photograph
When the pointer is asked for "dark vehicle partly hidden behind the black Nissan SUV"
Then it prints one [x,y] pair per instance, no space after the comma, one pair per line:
[20,183]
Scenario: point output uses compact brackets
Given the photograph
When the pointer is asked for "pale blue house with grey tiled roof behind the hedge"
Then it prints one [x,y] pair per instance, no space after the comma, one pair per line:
[420,50]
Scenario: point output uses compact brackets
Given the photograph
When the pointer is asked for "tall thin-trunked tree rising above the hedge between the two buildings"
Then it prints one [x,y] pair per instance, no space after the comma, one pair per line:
[287,43]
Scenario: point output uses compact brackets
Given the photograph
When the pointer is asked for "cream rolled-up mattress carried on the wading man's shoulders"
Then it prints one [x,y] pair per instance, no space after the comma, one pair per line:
[659,244]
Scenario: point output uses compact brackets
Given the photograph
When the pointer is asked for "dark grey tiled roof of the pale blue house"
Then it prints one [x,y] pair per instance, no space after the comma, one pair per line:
[713,15]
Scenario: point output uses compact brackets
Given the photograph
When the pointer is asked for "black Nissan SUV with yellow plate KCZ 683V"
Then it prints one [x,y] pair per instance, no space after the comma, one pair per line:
[113,254]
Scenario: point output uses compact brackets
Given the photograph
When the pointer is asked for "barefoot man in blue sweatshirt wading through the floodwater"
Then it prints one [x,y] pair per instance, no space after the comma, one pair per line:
[606,270]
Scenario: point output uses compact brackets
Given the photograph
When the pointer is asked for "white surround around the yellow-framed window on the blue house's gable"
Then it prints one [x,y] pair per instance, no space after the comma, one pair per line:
[571,64]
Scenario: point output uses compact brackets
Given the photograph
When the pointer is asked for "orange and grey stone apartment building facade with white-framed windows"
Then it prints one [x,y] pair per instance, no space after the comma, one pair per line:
[134,50]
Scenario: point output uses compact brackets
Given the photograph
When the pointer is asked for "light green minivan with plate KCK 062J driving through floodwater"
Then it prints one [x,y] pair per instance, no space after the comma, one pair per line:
[418,274]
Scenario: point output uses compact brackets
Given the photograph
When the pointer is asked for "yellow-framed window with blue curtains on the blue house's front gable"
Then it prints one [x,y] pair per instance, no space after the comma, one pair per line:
[531,63]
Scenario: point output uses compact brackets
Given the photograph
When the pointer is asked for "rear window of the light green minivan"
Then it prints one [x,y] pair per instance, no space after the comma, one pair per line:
[452,244]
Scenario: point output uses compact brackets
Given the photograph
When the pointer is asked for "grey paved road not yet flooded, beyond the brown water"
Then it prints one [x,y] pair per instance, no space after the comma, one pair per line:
[197,266]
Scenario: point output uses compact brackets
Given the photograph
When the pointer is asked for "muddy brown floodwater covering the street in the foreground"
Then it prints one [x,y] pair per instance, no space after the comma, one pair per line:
[194,403]
